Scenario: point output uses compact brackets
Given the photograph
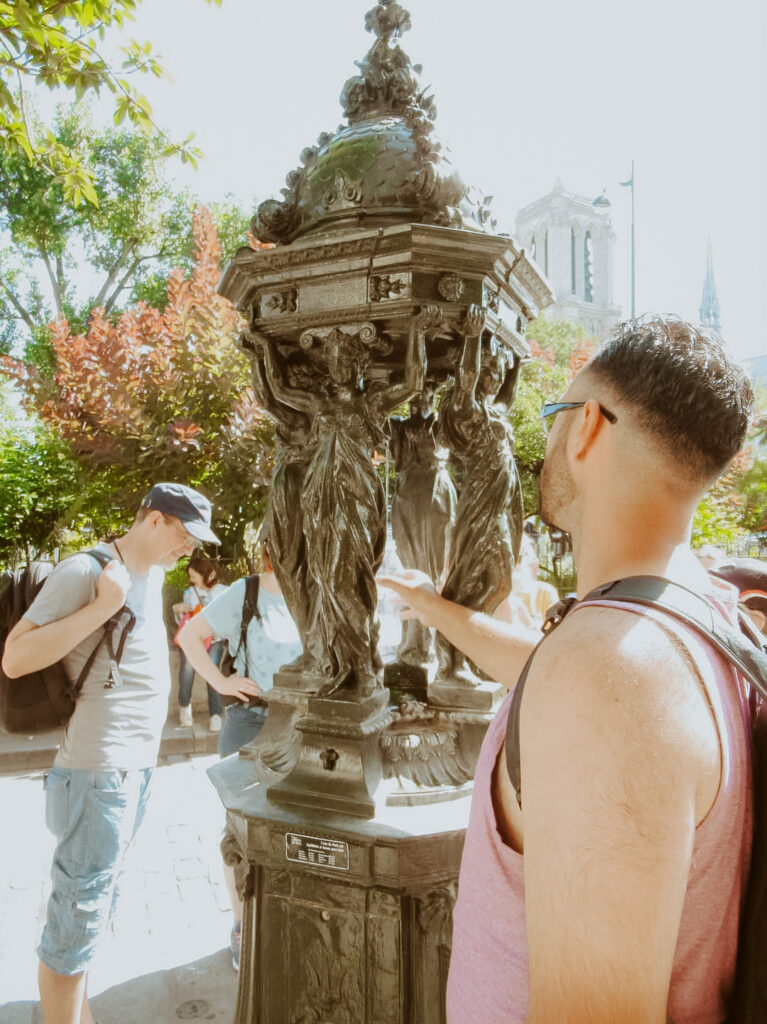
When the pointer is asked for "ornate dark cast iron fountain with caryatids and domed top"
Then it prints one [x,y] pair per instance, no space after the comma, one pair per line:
[389,313]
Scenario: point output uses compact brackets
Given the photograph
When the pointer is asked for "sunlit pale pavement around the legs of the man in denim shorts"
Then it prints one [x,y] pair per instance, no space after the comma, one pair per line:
[166,957]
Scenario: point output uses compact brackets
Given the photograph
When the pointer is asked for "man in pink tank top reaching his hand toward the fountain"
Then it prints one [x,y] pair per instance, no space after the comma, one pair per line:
[605,883]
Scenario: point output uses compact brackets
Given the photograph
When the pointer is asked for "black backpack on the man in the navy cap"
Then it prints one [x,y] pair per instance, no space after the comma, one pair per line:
[46,699]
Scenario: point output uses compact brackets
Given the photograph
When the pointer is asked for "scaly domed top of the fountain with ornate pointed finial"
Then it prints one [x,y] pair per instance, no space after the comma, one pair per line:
[388,162]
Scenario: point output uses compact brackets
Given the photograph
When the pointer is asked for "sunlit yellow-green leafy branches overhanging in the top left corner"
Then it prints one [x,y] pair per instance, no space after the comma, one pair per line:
[57,44]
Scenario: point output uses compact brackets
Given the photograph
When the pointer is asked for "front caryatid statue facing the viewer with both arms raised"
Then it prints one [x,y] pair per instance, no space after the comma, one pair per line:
[343,502]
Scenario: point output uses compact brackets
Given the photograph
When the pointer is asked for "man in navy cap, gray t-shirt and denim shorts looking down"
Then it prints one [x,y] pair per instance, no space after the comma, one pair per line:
[97,790]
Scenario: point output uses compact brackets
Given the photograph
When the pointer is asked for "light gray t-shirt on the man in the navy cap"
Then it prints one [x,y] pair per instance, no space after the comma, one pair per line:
[120,729]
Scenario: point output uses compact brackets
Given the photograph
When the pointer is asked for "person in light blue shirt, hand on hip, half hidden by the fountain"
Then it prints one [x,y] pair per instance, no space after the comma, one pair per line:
[272,642]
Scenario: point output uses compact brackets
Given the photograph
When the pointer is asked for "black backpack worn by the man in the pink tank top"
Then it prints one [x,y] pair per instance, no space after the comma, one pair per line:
[749,1000]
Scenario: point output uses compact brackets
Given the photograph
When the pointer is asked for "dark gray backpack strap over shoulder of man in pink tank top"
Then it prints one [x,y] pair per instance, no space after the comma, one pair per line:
[743,649]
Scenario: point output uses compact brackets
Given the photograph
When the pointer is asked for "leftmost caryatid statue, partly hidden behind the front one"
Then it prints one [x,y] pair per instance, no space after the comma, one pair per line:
[283,524]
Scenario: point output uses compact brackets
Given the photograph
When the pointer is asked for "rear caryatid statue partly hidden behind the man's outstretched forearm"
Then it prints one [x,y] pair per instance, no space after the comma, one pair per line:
[422,513]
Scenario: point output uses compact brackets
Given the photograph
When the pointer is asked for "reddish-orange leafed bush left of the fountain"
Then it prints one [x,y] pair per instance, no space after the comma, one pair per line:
[161,395]
